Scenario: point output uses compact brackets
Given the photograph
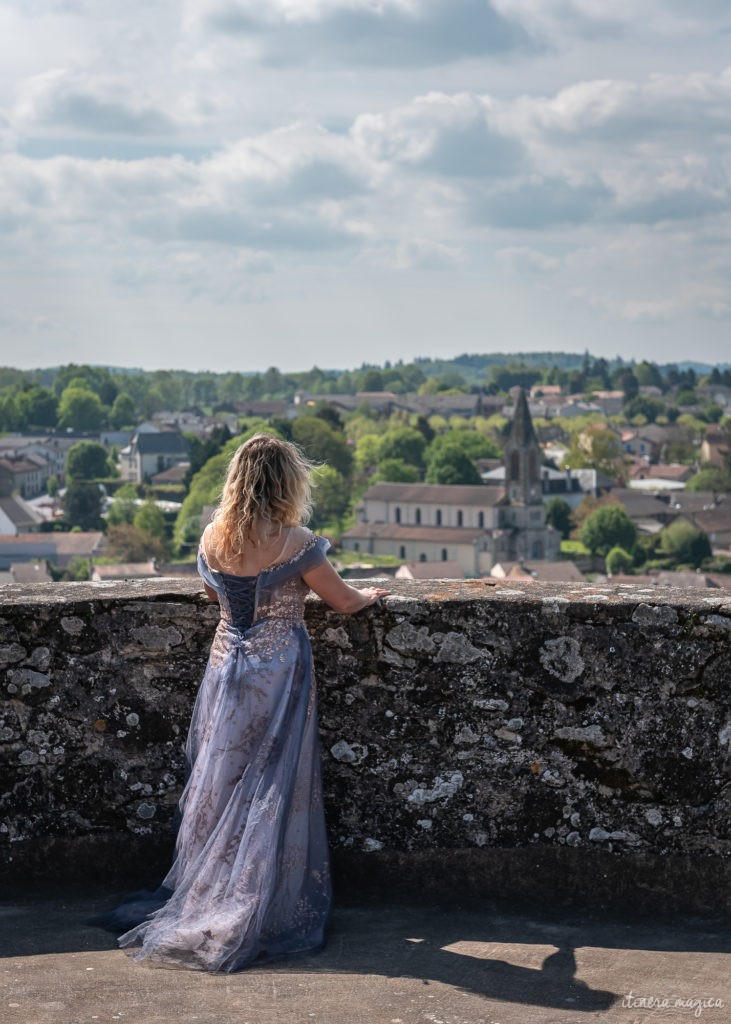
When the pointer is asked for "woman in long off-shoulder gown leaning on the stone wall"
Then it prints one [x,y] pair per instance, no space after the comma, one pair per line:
[251,879]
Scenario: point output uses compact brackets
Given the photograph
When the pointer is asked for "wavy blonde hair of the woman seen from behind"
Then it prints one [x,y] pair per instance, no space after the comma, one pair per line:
[269,481]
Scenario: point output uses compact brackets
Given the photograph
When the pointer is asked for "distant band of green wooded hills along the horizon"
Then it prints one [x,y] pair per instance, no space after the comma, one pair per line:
[87,398]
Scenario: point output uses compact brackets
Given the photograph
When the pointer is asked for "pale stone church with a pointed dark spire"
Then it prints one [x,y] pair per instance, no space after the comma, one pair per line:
[476,527]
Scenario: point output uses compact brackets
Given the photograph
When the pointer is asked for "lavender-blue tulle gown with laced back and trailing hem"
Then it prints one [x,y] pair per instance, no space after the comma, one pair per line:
[251,875]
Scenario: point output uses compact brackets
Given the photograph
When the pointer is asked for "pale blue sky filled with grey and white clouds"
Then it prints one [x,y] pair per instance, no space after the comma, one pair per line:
[234,185]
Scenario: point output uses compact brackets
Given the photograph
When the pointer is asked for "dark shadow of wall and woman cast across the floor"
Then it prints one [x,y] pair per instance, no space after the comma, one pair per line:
[485,951]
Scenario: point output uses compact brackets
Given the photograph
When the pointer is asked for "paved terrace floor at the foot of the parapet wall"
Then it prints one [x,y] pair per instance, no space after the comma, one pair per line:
[384,964]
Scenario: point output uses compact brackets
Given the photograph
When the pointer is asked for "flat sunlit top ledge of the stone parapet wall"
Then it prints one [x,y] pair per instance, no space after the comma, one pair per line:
[549,596]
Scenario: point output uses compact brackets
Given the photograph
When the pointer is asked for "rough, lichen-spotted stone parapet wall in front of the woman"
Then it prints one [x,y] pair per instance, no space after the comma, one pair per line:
[568,724]
